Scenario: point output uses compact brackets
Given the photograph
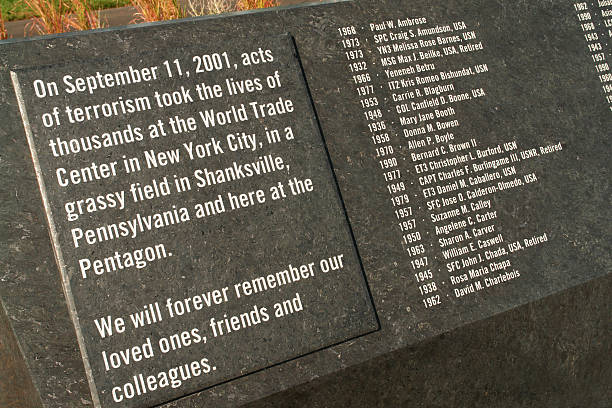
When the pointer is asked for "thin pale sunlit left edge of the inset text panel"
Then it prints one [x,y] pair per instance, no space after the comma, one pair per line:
[54,239]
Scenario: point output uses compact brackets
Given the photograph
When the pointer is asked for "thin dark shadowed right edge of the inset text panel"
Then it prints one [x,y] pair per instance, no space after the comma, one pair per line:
[333,173]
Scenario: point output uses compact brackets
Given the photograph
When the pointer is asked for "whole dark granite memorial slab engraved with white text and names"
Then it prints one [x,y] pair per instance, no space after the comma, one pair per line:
[212,210]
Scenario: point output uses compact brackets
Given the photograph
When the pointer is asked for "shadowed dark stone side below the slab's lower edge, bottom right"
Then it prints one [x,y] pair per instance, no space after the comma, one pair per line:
[553,353]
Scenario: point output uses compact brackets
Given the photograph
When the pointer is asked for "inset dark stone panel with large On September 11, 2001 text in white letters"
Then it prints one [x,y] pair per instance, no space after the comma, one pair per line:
[195,217]
